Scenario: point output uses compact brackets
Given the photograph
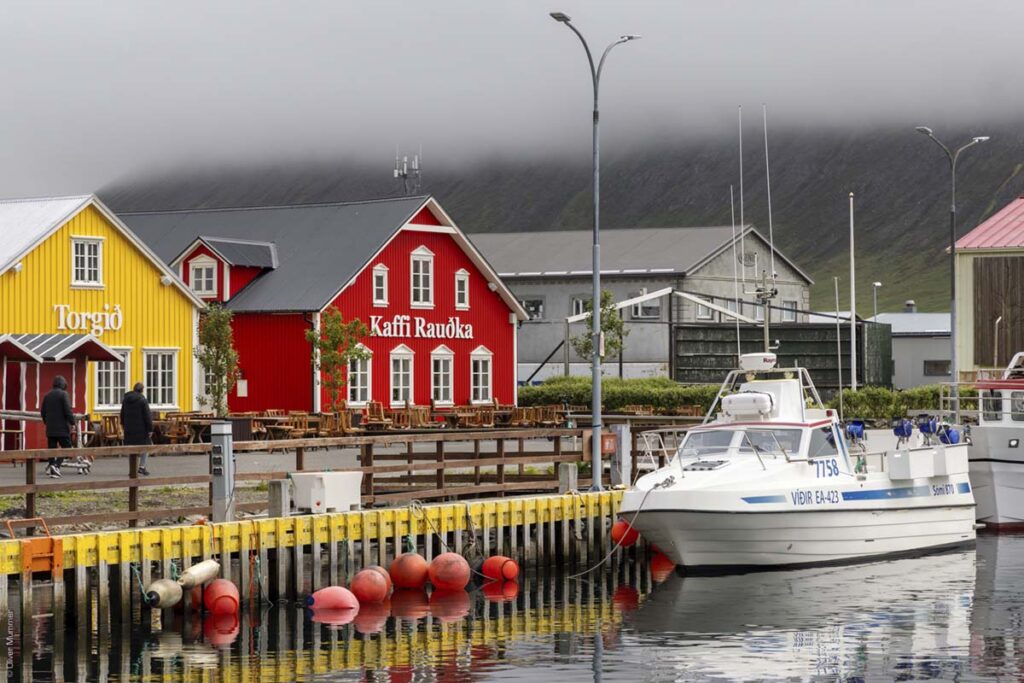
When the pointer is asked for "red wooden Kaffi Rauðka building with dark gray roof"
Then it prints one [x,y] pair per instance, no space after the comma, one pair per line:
[443,324]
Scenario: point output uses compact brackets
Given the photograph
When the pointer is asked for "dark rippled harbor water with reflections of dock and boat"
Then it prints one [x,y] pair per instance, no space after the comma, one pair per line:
[953,617]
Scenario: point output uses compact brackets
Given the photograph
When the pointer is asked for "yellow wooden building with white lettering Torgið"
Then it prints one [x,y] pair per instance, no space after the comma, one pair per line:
[77,289]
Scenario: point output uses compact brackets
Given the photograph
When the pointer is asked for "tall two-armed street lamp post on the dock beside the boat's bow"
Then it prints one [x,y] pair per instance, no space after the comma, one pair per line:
[596,345]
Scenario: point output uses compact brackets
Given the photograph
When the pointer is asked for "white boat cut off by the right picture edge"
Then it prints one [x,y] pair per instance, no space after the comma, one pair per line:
[997,453]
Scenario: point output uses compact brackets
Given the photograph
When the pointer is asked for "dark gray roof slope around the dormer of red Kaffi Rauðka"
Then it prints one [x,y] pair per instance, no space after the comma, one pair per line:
[320,246]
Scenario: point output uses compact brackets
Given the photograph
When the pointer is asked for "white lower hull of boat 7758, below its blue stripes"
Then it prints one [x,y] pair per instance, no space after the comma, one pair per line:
[716,541]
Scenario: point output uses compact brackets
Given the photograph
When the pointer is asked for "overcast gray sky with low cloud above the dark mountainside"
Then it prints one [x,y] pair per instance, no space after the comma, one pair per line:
[95,93]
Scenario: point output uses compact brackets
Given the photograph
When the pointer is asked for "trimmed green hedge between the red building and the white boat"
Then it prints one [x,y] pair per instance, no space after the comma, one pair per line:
[661,393]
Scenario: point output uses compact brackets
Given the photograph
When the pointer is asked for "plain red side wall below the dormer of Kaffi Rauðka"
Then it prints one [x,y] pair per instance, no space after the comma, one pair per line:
[276,362]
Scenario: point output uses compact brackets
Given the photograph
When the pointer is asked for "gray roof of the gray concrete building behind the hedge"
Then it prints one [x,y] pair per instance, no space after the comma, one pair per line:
[632,251]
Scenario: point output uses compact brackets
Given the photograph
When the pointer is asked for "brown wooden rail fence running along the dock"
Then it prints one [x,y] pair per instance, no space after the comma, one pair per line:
[460,464]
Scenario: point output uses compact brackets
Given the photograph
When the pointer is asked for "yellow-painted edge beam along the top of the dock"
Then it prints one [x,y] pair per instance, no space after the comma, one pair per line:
[162,543]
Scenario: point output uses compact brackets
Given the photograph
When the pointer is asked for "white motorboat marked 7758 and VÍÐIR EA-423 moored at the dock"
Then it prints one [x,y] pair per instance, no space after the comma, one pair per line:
[770,482]
